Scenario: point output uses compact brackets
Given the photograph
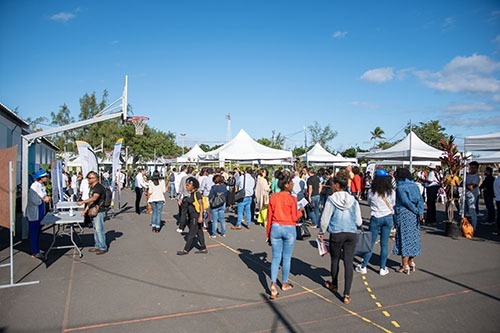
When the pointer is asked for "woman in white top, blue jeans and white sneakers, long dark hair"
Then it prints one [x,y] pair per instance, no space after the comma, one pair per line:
[381,198]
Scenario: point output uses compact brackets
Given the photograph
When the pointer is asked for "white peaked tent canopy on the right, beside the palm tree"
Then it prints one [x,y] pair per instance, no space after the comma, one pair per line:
[420,151]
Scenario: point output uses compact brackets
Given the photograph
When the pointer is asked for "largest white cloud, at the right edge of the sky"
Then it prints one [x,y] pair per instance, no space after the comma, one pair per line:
[472,74]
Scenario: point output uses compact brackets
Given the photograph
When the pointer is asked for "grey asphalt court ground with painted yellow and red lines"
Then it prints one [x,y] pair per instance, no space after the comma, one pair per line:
[141,285]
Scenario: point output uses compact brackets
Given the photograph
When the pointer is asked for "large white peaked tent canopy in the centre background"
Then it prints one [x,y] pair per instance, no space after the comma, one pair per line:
[243,148]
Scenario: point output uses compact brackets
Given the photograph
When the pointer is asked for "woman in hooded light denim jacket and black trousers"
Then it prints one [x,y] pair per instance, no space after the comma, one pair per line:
[341,217]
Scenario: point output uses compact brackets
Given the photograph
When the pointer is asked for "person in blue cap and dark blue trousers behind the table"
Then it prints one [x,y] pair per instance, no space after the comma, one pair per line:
[35,211]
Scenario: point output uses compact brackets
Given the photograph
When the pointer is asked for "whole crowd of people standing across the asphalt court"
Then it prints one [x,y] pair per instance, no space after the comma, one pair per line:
[396,200]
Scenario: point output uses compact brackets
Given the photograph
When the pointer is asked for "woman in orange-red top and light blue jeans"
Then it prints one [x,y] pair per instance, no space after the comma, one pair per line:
[282,216]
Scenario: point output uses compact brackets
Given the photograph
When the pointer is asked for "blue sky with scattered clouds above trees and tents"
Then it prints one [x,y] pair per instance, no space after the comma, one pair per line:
[273,65]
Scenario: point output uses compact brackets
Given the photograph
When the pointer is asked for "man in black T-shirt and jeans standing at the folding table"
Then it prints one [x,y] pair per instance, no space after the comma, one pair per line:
[97,197]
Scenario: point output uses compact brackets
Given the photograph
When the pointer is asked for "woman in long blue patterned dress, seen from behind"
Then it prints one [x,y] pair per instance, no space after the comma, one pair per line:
[409,210]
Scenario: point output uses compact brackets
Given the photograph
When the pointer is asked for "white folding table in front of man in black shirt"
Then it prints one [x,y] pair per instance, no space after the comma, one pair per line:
[59,224]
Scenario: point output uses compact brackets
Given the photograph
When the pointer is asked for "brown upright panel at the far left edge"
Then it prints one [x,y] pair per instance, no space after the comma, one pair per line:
[6,192]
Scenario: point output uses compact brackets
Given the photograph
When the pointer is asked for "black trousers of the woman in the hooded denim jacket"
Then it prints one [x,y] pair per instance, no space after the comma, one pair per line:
[342,242]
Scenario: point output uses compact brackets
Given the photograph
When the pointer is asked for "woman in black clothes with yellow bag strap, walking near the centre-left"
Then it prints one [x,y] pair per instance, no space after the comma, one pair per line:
[195,207]
